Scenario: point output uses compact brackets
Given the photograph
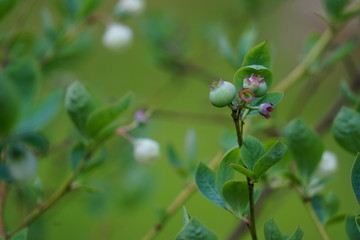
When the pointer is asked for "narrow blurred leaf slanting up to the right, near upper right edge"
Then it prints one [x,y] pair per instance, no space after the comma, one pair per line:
[339,53]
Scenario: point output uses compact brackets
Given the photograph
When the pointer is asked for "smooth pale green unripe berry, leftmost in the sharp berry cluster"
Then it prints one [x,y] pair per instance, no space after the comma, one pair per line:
[222,93]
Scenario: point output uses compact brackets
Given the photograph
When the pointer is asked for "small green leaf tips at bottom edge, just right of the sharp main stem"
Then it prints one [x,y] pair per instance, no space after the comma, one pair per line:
[272,232]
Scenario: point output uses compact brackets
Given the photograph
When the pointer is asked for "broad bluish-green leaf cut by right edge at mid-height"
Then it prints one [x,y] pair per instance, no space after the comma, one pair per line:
[346,129]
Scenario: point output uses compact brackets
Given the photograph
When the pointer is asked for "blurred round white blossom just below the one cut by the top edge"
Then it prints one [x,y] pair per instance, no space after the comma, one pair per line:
[117,36]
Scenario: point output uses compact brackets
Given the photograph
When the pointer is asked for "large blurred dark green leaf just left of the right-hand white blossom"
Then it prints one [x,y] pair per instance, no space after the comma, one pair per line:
[305,147]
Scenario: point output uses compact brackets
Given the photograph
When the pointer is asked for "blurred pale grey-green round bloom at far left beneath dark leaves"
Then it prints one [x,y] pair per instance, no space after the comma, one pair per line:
[23,168]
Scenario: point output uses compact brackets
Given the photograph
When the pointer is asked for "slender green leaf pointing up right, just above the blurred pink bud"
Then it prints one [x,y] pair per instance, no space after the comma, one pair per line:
[101,118]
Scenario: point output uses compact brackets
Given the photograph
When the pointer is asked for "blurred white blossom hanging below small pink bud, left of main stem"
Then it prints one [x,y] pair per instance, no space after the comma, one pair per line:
[146,150]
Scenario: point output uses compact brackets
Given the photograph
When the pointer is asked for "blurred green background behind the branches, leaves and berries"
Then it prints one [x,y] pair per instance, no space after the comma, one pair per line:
[127,211]
